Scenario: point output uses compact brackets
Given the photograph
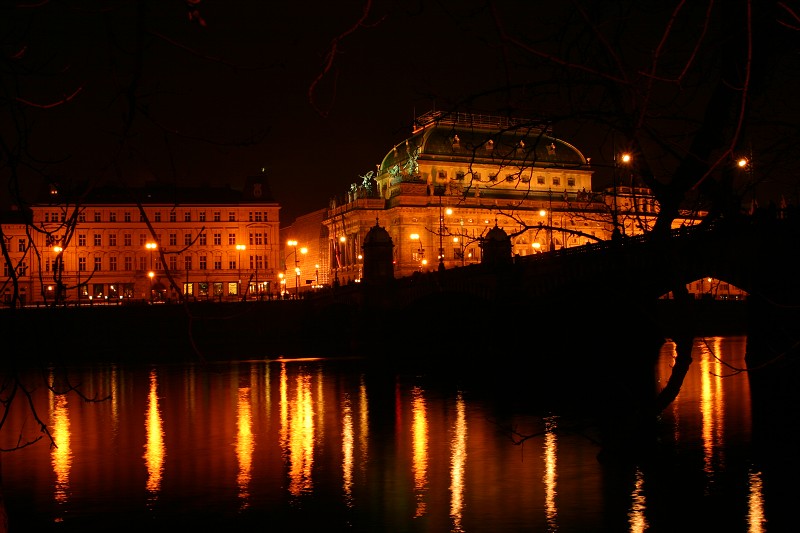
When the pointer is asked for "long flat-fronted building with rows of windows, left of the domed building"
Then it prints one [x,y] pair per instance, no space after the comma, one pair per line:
[152,244]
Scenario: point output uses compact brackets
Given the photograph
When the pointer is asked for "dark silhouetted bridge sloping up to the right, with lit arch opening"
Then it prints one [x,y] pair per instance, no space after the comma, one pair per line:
[583,291]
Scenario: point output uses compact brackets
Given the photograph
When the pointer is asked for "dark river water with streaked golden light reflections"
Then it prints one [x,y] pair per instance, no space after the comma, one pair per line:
[336,445]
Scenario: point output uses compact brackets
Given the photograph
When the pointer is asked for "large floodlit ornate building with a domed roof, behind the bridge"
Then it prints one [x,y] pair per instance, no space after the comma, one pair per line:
[439,193]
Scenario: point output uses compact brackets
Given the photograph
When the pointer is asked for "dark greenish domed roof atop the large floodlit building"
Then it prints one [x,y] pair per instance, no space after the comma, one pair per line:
[485,139]
